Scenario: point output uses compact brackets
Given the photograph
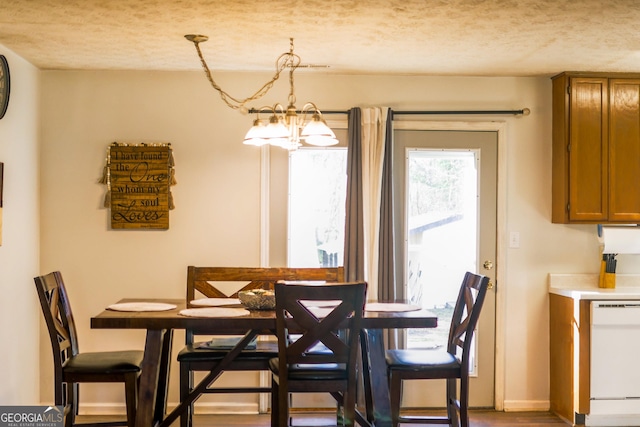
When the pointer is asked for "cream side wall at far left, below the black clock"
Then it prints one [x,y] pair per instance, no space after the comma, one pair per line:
[19,253]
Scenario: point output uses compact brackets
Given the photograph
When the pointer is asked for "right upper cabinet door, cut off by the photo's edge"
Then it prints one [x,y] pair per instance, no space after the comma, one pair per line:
[624,150]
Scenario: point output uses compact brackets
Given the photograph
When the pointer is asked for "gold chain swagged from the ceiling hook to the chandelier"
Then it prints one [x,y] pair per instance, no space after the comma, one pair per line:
[288,59]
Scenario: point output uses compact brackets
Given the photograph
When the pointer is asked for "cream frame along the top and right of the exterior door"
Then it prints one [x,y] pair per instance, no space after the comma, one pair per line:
[501,243]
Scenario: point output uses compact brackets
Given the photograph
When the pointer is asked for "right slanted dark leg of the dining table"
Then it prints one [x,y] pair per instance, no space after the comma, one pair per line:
[375,378]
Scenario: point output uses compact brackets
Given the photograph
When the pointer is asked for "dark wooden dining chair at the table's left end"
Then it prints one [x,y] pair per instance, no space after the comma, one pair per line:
[72,367]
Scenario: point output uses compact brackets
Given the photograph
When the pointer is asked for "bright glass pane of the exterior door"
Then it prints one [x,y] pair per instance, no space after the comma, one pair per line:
[441,234]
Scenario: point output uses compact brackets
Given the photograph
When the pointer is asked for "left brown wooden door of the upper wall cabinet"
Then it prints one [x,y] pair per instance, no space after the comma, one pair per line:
[588,149]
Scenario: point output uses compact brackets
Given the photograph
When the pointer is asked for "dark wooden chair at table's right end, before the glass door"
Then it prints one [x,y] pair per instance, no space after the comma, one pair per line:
[451,364]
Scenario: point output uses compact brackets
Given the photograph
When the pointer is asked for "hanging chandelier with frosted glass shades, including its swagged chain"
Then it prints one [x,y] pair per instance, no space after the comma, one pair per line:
[286,127]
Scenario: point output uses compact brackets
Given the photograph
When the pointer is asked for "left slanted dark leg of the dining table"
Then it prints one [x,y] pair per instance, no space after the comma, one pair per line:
[148,388]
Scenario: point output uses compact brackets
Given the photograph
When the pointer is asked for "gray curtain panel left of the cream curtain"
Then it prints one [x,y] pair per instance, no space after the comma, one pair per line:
[354,229]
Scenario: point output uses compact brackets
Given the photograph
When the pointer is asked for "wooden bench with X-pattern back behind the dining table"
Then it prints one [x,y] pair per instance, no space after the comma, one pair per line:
[226,282]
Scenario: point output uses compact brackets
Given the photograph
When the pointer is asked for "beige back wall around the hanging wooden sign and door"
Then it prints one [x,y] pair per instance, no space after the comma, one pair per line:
[216,220]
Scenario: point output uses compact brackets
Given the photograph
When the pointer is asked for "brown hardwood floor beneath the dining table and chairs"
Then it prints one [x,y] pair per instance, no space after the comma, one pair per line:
[478,418]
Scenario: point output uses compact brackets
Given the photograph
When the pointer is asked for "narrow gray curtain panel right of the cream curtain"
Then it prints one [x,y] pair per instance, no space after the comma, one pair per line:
[386,262]
